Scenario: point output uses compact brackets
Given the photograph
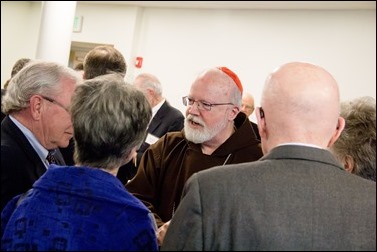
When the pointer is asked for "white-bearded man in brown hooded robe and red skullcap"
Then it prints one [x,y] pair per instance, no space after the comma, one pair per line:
[214,133]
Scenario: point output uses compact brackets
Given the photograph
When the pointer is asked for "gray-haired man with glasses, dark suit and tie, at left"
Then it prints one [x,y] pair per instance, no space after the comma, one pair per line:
[37,123]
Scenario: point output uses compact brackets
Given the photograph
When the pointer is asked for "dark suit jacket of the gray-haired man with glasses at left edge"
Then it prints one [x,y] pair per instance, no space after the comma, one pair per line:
[20,164]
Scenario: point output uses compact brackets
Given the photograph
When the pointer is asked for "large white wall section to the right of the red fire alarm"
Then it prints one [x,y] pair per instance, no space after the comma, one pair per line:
[179,43]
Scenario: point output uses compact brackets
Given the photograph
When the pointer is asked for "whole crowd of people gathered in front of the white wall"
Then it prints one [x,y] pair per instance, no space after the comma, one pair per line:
[92,162]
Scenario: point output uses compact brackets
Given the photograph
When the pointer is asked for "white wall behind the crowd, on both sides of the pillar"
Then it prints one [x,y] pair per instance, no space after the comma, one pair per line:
[177,44]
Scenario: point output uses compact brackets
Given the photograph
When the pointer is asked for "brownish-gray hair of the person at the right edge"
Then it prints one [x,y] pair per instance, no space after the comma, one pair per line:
[358,138]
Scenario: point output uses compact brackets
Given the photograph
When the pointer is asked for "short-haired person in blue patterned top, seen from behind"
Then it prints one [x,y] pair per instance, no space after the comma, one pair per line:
[85,207]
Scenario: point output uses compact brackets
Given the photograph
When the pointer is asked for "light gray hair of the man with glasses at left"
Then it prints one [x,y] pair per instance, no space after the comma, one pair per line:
[37,77]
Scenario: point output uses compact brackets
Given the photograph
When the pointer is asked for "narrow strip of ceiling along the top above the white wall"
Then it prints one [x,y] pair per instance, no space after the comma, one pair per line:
[249,5]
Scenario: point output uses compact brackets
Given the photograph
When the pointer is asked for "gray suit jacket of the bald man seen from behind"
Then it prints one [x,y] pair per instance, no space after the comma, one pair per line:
[294,198]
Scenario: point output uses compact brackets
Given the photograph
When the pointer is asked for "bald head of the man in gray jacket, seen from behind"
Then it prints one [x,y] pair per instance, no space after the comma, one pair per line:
[301,104]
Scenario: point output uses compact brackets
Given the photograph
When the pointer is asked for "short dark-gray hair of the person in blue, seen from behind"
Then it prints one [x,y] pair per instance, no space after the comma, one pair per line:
[110,118]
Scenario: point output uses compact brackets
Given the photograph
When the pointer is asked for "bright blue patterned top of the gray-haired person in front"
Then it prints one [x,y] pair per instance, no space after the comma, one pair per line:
[77,208]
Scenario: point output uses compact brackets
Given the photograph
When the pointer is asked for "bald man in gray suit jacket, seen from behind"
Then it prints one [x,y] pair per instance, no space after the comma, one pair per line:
[297,196]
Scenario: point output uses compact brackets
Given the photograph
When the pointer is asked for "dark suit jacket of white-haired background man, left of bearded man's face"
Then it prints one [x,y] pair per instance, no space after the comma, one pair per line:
[167,119]
